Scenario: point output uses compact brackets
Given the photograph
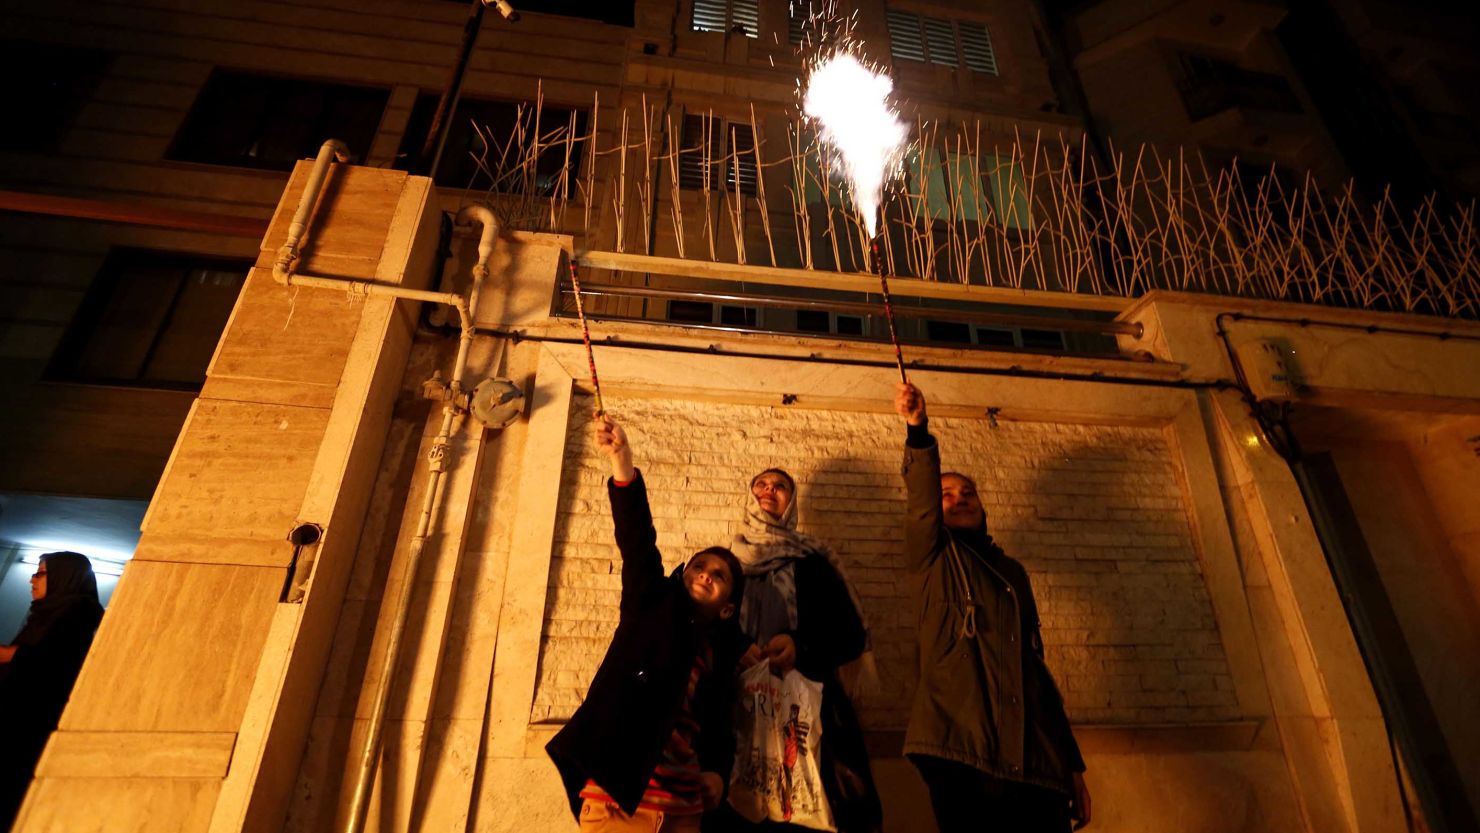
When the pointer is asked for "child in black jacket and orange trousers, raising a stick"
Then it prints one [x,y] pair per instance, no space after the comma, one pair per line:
[652,745]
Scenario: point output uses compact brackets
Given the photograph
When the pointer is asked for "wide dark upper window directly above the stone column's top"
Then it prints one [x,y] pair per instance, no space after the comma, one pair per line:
[270,124]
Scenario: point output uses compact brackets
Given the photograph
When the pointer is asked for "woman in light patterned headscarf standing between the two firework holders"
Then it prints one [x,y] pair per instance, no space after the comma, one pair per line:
[803,613]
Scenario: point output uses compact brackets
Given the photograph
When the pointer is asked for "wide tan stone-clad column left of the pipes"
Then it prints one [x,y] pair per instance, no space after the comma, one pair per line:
[195,705]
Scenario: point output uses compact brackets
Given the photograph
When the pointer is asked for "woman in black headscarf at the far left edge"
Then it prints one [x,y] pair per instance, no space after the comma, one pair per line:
[38,670]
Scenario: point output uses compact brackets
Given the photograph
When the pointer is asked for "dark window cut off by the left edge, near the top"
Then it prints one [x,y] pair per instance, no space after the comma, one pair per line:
[47,88]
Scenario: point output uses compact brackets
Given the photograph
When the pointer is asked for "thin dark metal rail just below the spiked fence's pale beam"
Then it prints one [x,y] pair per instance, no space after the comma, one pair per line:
[859,308]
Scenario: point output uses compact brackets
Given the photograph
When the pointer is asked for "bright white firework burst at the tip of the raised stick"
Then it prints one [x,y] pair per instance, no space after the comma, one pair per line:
[850,104]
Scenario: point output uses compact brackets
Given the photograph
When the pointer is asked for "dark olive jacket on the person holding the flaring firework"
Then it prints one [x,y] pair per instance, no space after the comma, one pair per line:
[985,698]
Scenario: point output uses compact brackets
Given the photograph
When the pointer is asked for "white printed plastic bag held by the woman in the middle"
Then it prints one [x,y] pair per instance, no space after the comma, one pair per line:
[778,770]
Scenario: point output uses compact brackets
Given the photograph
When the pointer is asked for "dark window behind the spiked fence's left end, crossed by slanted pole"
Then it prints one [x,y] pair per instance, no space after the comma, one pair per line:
[501,146]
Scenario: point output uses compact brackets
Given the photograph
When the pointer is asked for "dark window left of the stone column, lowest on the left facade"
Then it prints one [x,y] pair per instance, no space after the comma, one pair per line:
[150,319]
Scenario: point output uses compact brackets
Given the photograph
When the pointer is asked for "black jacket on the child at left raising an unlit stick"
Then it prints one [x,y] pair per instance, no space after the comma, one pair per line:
[618,735]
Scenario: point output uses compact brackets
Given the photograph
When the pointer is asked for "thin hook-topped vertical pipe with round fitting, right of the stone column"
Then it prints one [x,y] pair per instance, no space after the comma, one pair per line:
[455,399]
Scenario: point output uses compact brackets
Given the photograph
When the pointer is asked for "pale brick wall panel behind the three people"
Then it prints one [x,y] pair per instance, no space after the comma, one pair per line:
[1094,513]
